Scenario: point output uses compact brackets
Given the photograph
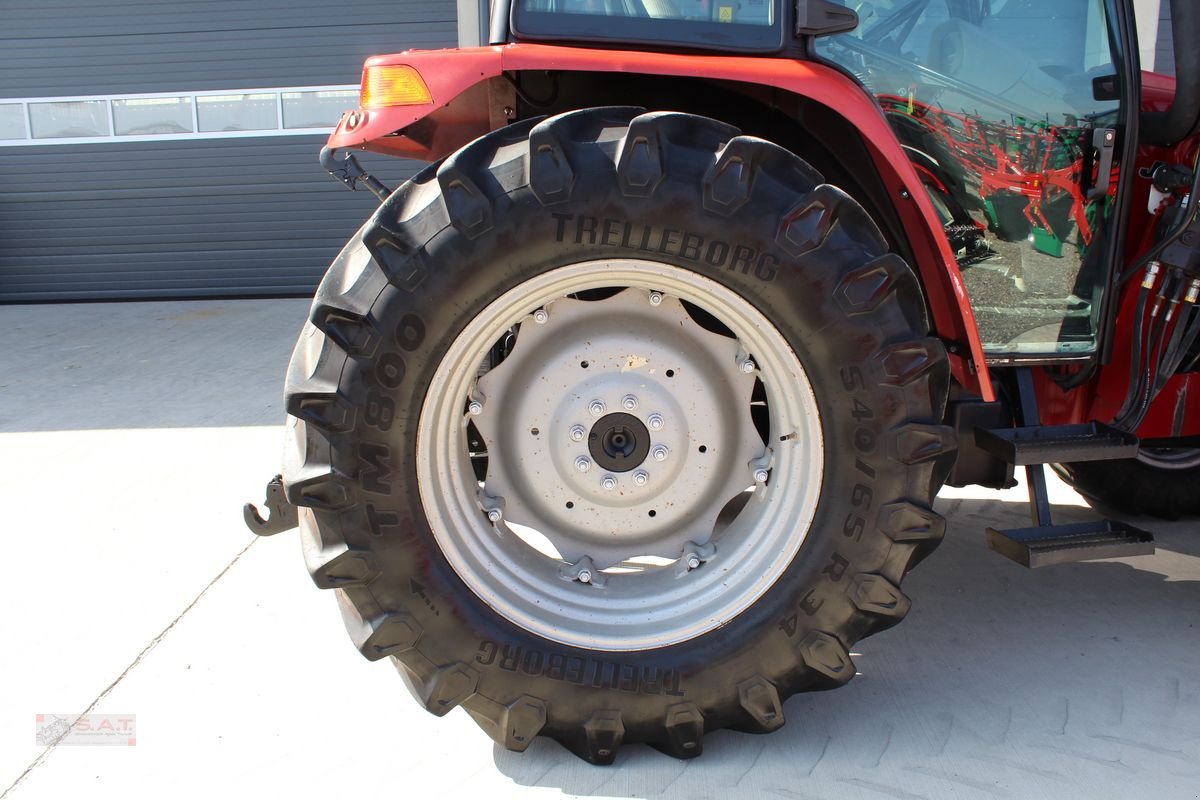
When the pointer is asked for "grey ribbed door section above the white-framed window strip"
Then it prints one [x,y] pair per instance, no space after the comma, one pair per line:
[93,47]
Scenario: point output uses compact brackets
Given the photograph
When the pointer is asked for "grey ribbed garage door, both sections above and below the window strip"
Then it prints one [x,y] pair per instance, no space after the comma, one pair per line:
[208,218]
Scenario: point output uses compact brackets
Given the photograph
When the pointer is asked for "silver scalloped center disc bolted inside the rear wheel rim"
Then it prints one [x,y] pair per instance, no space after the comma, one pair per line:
[608,498]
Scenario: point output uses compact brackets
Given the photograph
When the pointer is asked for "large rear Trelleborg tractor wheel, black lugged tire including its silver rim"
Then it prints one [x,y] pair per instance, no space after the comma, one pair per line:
[617,428]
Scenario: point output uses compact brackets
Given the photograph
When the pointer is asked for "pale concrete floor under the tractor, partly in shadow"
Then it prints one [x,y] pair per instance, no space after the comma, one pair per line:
[133,434]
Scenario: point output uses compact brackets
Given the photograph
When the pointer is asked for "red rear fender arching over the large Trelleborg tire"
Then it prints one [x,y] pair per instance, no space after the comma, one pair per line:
[464,110]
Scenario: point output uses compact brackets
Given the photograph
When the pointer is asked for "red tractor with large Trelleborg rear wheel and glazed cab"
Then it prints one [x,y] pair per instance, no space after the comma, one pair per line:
[622,422]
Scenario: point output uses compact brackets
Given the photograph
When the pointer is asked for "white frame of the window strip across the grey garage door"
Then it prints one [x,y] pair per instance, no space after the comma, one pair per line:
[111,117]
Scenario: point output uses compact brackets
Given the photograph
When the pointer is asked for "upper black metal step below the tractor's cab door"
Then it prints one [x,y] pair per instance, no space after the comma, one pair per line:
[1058,444]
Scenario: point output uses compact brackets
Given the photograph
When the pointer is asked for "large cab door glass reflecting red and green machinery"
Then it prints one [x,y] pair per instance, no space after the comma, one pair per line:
[998,104]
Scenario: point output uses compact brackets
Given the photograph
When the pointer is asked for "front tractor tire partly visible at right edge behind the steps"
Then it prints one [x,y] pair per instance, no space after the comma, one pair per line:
[1160,483]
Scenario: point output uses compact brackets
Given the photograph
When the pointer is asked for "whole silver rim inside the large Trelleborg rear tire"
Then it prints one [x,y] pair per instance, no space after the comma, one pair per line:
[601,579]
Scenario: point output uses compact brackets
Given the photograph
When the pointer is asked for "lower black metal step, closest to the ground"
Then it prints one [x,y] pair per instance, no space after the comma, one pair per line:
[1047,545]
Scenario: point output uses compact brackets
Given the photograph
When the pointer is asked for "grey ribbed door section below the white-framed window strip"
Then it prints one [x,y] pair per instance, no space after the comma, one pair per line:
[173,219]
